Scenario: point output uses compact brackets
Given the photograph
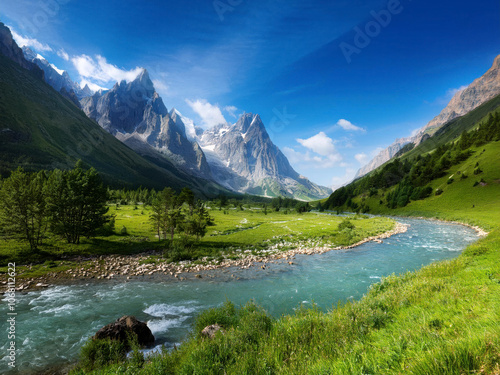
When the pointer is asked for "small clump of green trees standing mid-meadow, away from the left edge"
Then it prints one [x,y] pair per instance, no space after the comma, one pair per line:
[182,213]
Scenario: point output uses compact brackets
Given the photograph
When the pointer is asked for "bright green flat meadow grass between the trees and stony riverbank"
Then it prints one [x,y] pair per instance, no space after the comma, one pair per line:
[233,236]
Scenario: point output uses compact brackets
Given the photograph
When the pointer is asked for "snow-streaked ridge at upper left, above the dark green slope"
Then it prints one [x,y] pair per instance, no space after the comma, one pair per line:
[57,78]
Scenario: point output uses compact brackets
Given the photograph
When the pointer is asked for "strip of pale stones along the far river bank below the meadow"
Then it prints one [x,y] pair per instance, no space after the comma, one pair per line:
[129,267]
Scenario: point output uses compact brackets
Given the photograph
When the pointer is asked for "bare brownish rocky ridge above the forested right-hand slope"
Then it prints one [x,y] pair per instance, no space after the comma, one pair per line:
[464,101]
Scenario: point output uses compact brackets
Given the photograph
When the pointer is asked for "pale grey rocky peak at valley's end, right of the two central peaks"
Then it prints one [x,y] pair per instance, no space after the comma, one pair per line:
[243,158]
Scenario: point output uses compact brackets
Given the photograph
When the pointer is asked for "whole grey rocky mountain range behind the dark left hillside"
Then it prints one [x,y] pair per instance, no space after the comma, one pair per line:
[240,157]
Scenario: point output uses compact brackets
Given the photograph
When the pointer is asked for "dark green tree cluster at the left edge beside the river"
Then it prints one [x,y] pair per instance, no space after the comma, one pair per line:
[69,203]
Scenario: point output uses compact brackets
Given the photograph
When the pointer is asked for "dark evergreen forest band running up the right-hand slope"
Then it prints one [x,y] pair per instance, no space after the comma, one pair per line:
[413,176]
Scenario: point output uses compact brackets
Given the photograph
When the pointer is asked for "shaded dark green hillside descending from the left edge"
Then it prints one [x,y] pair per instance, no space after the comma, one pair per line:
[40,129]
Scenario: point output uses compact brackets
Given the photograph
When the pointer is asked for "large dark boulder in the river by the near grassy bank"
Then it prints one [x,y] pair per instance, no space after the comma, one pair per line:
[123,327]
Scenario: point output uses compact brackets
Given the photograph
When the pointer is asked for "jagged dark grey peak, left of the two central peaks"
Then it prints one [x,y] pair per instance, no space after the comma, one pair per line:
[134,113]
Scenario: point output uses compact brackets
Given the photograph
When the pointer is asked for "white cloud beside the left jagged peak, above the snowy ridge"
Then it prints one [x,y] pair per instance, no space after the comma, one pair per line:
[100,70]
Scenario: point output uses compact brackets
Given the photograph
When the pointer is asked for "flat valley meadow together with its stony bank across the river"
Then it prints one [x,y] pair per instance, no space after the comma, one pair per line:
[240,239]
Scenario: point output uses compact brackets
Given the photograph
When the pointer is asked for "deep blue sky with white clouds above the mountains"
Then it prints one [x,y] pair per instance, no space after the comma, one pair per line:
[329,97]
